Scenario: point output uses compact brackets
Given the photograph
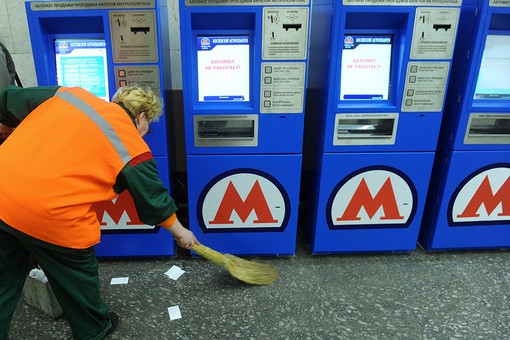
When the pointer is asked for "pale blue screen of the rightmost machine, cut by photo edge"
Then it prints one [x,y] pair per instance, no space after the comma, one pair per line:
[494,75]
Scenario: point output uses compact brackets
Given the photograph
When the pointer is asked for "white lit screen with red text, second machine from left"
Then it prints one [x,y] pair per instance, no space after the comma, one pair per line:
[223,68]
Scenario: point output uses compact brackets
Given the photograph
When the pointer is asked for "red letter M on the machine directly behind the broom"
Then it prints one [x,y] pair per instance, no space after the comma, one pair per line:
[232,201]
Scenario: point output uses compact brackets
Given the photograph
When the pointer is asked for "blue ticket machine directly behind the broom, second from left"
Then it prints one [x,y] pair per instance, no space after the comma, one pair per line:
[244,78]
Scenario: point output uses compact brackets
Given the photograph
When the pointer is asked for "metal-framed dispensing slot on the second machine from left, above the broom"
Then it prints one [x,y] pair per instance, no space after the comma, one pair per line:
[226,130]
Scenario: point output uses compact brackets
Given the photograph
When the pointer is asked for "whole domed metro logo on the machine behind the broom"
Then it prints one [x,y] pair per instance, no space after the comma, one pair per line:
[243,200]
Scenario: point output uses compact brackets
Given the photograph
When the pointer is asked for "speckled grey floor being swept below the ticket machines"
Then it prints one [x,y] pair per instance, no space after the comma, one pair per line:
[417,295]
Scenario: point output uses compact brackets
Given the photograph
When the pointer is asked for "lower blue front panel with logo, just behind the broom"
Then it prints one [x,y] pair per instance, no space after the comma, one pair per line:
[228,211]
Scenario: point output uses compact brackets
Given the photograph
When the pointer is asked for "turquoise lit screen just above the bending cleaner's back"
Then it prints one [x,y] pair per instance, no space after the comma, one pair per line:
[82,62]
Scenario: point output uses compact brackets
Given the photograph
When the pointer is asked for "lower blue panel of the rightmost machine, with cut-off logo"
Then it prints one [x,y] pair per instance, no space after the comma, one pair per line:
[472,206]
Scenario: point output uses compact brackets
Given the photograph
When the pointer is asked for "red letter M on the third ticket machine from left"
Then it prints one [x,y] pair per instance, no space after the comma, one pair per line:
[362,198]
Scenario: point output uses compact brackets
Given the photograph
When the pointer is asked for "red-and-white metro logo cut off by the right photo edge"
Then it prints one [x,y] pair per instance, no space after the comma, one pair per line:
[483,198]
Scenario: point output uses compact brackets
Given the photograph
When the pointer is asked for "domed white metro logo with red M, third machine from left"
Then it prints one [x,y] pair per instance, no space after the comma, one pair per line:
[374,197]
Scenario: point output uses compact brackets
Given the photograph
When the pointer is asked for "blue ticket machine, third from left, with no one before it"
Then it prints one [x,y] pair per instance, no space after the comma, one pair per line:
[377,81]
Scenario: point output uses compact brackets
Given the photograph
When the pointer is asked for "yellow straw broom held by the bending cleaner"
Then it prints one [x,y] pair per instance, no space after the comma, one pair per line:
[247,271]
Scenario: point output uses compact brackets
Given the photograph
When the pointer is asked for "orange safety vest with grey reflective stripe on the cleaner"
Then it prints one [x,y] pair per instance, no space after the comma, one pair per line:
[64,157]
